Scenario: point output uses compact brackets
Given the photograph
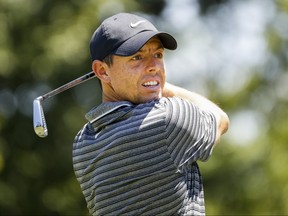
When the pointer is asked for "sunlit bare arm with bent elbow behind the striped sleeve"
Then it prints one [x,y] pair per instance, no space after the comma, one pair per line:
[203,103]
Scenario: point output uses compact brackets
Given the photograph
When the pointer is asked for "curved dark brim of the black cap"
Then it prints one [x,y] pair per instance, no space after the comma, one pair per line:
[133,44]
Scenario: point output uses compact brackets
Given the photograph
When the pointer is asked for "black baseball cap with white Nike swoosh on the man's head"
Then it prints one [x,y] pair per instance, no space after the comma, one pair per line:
[124,34]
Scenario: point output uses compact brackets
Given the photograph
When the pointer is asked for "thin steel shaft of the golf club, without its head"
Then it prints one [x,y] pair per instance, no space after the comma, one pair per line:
[71,84]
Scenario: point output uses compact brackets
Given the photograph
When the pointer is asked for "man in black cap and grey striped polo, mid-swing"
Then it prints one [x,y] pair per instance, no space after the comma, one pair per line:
[137,154]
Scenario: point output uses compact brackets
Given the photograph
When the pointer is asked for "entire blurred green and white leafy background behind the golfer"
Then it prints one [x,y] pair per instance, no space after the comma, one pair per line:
[233,52]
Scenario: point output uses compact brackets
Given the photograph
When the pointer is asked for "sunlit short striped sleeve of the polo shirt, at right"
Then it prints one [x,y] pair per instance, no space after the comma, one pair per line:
[190,132]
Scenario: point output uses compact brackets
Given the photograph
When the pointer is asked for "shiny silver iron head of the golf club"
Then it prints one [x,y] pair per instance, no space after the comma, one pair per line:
[39,122]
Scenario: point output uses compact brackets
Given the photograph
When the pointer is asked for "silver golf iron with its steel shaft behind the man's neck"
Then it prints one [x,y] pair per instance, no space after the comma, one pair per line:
[39,122]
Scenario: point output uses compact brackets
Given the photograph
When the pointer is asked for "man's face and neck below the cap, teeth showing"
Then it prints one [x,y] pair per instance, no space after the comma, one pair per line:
[141,77]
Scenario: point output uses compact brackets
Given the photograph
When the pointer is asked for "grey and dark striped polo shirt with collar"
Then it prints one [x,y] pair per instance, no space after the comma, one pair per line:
[141,159]
